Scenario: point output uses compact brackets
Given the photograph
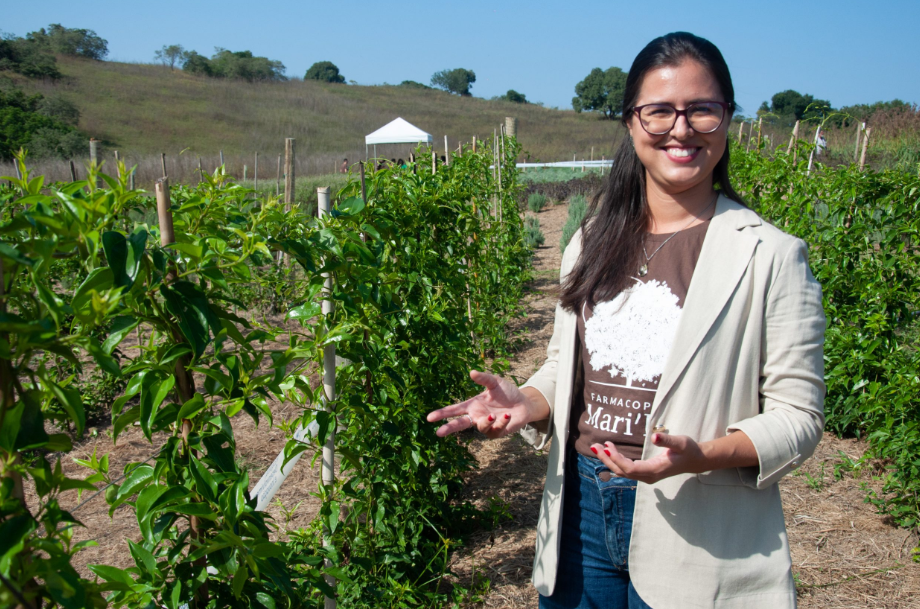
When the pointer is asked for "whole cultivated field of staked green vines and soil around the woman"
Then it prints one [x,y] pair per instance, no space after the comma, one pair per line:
[180,341]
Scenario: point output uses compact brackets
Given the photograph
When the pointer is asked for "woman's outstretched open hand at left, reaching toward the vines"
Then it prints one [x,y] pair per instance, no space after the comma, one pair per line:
[498,411]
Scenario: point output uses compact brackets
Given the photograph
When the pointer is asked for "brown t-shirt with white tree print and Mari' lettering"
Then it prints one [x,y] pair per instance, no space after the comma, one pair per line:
[625,343]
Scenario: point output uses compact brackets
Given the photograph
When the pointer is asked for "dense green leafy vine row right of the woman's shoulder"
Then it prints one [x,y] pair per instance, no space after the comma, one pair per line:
[861,229]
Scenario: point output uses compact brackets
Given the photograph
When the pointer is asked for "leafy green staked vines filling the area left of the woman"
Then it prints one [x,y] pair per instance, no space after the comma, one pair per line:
[427,270]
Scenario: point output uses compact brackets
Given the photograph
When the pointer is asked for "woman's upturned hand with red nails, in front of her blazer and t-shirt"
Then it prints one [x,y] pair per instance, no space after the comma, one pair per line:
[683,455]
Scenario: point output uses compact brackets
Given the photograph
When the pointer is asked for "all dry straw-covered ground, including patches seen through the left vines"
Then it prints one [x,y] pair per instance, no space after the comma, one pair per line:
[844,554]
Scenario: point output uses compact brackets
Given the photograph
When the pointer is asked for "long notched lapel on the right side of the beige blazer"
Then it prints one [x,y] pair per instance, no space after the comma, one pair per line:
[723,260]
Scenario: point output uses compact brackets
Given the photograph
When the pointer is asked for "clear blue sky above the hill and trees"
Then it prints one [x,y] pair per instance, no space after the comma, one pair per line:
[844,51]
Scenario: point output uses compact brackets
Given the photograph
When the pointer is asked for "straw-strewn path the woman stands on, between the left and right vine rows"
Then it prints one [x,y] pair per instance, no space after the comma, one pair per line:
[844,554]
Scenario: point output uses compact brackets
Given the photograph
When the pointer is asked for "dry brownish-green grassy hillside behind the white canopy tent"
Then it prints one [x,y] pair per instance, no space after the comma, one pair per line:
[142,110]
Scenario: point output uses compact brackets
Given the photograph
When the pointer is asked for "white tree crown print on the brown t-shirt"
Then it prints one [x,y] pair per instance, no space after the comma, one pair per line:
[632,334]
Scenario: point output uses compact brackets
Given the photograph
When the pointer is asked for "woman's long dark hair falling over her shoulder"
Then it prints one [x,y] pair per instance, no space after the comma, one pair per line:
[614,227]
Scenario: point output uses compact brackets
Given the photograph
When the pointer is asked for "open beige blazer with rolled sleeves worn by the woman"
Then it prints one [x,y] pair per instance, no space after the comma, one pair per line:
[748,355]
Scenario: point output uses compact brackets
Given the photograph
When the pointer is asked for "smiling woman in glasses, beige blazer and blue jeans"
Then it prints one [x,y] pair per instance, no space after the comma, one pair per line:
[676,405]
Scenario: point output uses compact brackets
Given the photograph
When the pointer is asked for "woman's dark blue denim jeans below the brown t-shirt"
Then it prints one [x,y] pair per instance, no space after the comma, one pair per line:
[597,513]
